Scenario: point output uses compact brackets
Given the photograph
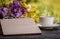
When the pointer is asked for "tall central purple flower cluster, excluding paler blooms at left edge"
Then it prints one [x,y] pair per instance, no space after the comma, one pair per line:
[15,9]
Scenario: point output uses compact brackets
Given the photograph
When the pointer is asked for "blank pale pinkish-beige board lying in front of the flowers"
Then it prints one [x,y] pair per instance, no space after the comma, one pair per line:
[19,26]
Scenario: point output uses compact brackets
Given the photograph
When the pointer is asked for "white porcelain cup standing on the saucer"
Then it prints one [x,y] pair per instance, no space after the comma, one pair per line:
[46,21]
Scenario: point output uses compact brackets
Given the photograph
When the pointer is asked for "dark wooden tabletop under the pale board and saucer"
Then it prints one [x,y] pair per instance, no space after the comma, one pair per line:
[46,34]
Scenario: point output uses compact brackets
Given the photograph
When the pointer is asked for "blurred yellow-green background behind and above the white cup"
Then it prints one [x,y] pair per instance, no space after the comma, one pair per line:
[47,8]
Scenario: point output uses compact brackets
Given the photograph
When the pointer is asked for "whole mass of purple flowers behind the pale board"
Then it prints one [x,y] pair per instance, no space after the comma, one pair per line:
[15,10]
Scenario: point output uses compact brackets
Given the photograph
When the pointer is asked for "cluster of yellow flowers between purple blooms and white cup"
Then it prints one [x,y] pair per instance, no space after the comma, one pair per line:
[32,12]
